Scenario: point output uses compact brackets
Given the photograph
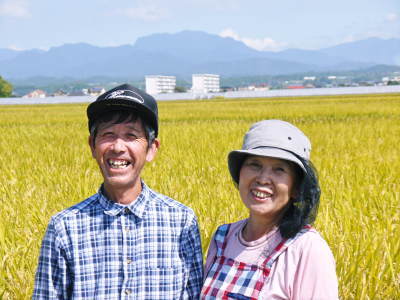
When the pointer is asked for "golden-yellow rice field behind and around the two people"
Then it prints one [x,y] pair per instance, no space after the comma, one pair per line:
[46,166]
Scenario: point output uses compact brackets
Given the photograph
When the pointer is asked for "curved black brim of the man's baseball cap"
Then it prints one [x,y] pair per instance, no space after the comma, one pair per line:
[98,108]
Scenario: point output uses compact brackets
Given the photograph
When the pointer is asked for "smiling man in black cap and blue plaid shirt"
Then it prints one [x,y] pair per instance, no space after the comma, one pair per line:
[126,241]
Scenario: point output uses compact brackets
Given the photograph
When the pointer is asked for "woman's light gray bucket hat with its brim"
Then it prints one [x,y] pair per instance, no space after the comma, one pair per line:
[272,138]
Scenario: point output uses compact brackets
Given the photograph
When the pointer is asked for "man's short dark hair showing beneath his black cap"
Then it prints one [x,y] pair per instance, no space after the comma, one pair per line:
[122,116]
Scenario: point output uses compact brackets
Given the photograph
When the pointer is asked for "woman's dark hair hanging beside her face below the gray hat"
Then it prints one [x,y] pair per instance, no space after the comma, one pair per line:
[303,209]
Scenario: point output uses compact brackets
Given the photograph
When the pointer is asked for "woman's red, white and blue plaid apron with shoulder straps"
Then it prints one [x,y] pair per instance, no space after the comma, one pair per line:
[231,279]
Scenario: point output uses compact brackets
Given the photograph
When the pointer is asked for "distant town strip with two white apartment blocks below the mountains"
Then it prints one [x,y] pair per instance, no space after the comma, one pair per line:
[211,83]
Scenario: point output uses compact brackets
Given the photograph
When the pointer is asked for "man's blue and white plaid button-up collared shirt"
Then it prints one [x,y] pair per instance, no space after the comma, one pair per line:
[99,249]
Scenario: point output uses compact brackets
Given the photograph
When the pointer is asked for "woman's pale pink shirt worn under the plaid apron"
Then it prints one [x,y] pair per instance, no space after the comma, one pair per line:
[305,271]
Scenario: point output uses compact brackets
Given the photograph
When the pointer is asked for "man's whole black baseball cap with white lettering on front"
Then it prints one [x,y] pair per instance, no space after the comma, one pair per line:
[125,97]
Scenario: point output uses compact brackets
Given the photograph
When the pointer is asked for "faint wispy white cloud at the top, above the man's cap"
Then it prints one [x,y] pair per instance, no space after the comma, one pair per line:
[148,13]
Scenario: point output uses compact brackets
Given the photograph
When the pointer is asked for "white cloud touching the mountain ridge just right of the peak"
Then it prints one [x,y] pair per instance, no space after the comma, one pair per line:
[262,44]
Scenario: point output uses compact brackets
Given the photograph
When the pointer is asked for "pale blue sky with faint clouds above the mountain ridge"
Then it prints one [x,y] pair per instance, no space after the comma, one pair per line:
[271,25]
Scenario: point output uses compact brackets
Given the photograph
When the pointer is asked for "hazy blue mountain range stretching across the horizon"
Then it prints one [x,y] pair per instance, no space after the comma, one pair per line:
[187,52]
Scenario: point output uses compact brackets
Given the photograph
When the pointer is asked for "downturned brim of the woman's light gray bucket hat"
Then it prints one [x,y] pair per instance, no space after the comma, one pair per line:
[236,158]
